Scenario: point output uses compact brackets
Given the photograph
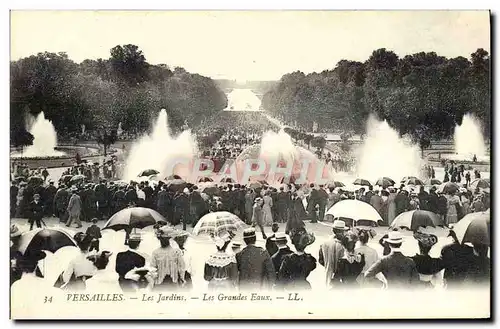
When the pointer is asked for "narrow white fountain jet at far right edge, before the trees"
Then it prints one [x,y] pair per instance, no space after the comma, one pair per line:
[469,141]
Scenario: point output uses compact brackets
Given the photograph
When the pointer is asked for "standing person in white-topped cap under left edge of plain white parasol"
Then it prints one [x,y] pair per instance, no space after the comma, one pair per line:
[332,250]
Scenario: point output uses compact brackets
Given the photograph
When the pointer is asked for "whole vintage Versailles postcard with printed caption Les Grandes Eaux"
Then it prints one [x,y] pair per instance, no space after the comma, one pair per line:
[250,165]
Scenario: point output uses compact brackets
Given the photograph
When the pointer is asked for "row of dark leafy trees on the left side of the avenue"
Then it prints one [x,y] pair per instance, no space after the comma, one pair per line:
[102,93]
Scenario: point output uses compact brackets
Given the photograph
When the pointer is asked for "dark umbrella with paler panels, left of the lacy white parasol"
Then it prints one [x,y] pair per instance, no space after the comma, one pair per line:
[134,217]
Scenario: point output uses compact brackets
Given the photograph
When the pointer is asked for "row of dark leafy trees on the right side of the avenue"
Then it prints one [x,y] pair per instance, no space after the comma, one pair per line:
[423,95]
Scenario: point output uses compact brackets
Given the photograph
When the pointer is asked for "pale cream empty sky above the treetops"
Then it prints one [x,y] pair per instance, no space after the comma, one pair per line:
[246,45]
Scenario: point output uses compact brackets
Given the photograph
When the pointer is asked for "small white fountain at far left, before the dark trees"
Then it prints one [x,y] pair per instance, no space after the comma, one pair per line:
[45,139]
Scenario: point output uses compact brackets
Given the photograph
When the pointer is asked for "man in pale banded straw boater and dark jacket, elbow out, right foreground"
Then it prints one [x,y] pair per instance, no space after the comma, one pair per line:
[399,270]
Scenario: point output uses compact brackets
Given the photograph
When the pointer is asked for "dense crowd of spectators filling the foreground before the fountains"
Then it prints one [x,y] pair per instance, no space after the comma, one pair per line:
[346,257]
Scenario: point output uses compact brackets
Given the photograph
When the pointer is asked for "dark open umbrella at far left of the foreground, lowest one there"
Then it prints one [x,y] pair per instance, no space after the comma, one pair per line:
[49,239]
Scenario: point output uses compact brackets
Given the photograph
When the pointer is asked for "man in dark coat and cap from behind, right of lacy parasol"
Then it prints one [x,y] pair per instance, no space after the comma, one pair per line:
[256,270]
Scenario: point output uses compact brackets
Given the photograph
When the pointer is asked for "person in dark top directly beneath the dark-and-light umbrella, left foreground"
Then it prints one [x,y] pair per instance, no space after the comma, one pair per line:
[127,261]
